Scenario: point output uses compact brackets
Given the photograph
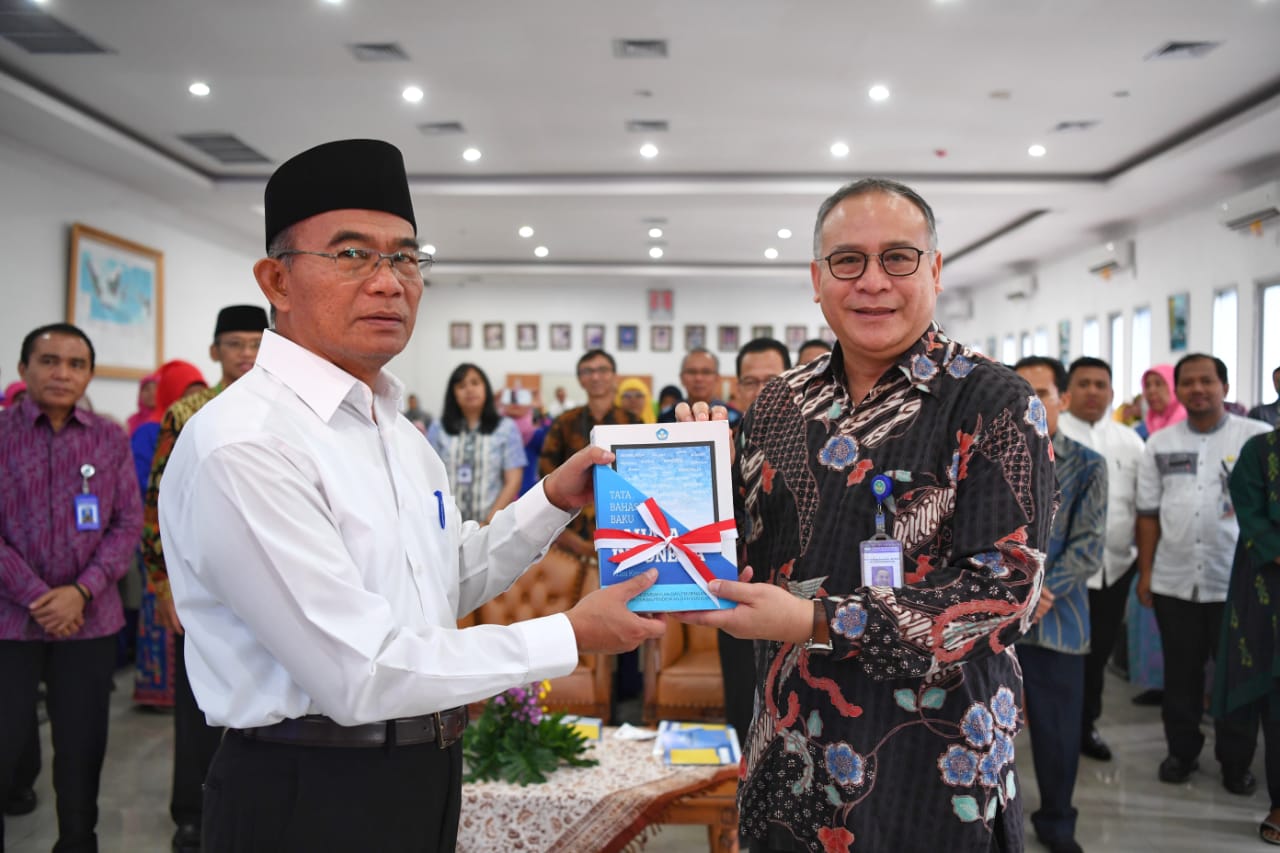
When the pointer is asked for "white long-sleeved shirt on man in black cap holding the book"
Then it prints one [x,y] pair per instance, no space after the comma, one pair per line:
[319,564]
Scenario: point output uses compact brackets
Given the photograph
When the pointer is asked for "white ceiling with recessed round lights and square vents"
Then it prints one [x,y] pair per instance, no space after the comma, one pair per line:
[756,92]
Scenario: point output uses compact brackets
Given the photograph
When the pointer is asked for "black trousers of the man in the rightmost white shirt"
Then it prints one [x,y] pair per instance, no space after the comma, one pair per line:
[1188,637]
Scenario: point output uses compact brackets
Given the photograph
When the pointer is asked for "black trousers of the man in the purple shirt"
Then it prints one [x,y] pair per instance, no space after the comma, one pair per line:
[79,679]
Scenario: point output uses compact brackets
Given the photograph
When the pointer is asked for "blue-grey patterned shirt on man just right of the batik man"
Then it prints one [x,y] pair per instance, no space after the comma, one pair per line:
[1076,548]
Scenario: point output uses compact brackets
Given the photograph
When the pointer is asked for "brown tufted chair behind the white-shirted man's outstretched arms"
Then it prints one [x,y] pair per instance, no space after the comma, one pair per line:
[552,586]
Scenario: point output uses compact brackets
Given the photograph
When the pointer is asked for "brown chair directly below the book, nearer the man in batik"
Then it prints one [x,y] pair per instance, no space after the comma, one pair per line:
[683,677]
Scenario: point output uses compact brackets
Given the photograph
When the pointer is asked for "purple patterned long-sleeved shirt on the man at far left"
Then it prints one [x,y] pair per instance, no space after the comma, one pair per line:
[40,548]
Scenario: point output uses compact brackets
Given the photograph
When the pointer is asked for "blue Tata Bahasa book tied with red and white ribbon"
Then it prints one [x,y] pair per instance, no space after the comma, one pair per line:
[668,504]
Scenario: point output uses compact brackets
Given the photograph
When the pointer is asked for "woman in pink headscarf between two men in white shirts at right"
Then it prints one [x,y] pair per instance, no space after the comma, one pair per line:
[1146,658]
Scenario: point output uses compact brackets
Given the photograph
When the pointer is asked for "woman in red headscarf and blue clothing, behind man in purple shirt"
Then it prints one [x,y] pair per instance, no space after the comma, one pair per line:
[153,682]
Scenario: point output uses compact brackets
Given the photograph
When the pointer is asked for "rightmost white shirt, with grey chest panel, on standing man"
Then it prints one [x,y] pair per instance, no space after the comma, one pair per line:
[1183,478]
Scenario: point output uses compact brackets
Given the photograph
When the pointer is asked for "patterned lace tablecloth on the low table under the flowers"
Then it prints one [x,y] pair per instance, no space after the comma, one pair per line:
[580,810]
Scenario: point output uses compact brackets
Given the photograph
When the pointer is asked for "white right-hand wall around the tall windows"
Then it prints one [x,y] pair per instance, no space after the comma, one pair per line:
[1187,253]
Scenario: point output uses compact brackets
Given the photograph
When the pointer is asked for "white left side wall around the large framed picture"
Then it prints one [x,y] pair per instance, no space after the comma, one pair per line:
[42,198]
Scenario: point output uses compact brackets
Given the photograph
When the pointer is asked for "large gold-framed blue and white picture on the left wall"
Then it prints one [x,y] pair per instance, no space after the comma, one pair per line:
[116,294]
